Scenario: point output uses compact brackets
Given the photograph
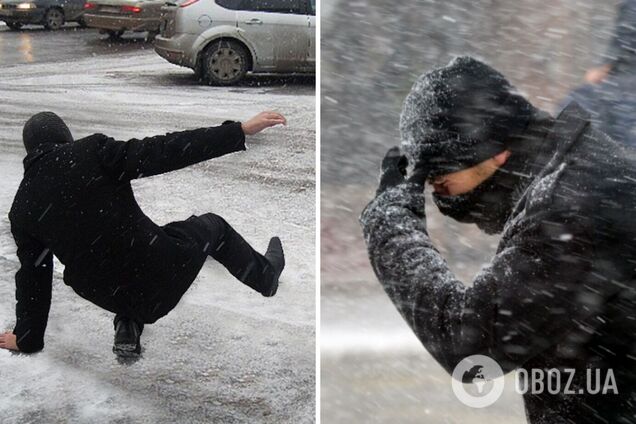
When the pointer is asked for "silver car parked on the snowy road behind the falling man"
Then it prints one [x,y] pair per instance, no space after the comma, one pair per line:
[222,40]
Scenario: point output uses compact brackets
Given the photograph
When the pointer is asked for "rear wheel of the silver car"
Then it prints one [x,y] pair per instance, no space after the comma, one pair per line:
[224,63]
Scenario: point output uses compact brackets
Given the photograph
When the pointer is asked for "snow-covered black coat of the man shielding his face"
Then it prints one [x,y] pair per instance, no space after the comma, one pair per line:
[560,291]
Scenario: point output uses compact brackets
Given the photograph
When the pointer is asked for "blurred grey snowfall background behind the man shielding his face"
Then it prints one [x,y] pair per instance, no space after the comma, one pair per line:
[373,368]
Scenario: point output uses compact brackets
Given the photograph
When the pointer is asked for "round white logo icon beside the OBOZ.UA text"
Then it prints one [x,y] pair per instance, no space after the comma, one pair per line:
[482,379]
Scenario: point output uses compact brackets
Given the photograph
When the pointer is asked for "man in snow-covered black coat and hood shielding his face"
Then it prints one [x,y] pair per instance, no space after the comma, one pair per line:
[559,292]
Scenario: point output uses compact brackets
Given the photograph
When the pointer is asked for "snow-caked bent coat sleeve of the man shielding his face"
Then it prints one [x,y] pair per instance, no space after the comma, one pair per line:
[536,287]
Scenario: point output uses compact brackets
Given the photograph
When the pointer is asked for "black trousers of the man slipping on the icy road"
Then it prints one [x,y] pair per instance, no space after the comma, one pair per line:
[226,246]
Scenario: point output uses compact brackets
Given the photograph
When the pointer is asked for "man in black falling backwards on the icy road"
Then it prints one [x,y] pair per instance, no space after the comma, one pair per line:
[76,202]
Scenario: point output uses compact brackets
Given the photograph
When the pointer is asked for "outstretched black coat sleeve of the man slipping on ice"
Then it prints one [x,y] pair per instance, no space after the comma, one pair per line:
[165,153]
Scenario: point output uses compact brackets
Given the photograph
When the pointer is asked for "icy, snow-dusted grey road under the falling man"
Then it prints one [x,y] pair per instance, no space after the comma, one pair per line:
[225,354]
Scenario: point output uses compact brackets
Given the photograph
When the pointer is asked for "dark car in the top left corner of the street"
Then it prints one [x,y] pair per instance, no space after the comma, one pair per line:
[50,13]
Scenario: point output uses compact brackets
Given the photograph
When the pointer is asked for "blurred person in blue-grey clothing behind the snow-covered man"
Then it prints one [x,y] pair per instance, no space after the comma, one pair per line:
[609,92]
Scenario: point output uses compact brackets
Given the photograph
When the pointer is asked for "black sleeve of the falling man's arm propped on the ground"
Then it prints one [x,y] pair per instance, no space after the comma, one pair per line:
[33,291]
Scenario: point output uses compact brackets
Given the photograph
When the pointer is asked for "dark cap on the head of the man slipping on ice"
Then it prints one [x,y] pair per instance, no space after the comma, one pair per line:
[43,128]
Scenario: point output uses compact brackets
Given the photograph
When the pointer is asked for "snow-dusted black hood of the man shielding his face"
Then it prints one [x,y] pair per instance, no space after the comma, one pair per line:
[460,115]
